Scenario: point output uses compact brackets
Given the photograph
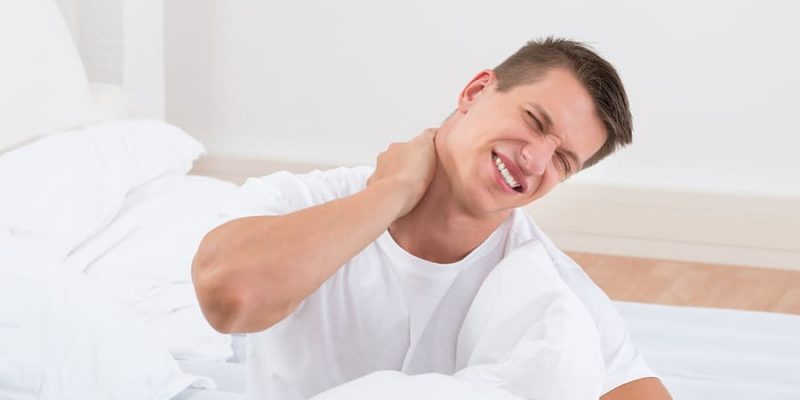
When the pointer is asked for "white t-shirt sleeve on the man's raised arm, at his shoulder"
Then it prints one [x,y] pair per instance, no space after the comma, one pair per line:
[283,192]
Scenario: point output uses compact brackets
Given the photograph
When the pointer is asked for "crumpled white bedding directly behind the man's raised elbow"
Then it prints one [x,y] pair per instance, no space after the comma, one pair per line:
[143,259]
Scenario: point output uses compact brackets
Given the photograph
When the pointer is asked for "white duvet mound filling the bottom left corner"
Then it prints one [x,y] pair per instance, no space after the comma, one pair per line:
[60,339]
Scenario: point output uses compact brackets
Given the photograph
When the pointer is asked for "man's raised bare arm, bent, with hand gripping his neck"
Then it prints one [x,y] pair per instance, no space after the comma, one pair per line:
[252,272]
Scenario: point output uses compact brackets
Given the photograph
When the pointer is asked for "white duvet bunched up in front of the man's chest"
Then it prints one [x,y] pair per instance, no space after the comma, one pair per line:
[525,336]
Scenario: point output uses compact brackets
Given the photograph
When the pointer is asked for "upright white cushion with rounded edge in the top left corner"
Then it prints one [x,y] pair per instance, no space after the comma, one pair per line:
[44,86]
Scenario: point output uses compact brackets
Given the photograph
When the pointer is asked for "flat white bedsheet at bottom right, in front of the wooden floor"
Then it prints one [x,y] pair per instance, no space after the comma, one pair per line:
[709,354]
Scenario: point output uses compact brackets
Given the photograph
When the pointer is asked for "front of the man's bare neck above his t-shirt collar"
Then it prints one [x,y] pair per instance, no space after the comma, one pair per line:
[438,229]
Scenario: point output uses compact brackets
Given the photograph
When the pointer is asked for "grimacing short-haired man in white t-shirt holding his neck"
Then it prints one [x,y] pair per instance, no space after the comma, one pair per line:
[338,251]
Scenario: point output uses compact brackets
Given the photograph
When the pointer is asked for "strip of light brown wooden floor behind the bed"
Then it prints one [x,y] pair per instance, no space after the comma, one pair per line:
[684,283]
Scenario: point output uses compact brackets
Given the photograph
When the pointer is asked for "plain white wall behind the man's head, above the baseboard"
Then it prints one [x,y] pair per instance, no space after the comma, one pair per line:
[715,85]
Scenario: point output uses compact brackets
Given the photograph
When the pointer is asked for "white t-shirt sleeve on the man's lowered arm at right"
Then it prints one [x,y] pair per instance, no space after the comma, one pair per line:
[624,361]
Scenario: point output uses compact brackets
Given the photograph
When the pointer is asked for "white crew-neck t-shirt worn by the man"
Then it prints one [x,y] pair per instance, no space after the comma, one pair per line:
[369,314]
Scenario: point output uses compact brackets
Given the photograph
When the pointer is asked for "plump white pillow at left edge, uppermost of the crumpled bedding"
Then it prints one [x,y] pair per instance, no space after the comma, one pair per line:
[61,189]
